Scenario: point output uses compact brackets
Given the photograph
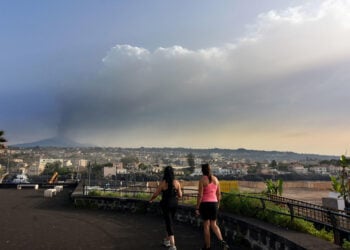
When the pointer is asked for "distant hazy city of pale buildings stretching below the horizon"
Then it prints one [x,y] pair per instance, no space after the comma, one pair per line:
[108,162]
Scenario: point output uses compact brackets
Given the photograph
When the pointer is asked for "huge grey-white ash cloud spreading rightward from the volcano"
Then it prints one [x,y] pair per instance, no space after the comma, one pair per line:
[287,69]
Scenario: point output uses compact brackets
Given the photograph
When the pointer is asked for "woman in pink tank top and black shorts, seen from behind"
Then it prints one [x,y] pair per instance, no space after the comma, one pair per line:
[208,201]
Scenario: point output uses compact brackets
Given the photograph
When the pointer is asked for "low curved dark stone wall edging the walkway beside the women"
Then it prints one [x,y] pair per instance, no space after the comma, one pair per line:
[240,231]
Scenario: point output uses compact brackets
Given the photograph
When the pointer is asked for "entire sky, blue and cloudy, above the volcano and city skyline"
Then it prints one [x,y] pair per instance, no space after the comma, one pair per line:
[270,75]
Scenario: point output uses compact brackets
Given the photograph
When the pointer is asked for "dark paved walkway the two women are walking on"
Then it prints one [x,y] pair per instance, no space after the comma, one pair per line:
[30,221]
